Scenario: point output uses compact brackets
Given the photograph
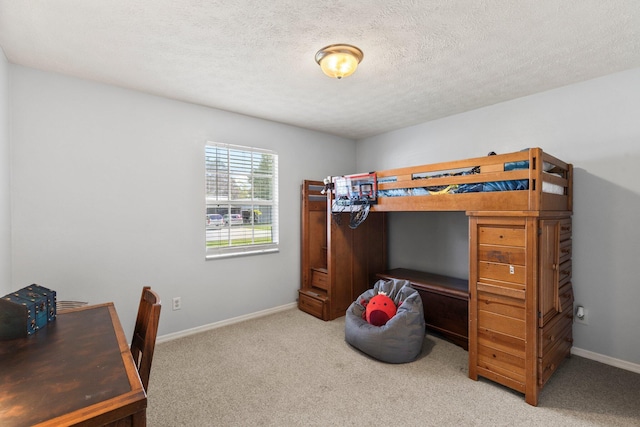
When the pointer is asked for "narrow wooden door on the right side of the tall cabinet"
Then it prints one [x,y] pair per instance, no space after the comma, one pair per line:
[548,302]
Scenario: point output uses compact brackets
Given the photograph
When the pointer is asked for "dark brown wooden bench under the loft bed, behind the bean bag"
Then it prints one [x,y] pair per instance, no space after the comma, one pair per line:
[445,301]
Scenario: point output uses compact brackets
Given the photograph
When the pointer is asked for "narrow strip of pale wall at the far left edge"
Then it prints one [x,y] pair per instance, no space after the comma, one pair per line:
[5,194]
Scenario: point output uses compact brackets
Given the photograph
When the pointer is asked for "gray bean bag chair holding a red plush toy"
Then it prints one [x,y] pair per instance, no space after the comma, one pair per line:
[400,339]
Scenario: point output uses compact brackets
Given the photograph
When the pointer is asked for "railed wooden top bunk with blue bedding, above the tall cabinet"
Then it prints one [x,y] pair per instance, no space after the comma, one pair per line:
[528,180]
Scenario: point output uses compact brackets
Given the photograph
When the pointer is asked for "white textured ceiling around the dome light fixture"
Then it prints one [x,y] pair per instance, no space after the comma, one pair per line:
[423,59]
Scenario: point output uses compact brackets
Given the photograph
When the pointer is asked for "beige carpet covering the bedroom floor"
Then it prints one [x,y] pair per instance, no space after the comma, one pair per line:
[291,369]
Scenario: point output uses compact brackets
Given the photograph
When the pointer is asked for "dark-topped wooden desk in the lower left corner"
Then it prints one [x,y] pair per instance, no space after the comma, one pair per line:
[76,371]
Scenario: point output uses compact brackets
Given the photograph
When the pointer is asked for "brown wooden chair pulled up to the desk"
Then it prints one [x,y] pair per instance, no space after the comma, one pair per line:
[145,332]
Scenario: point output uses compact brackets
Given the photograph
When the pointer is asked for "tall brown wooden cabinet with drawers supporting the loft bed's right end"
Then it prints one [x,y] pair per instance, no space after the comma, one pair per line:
[521,297]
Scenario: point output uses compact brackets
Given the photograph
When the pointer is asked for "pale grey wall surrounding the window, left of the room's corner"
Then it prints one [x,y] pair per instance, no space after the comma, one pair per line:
[108,196]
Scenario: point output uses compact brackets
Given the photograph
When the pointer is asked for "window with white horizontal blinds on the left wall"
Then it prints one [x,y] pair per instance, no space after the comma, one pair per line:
[241,214]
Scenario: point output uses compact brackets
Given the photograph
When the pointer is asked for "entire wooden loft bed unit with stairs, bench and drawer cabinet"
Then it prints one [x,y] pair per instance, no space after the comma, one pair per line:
[519,295]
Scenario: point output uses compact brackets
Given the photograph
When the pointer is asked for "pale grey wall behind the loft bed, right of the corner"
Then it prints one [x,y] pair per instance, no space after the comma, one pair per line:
[596,126]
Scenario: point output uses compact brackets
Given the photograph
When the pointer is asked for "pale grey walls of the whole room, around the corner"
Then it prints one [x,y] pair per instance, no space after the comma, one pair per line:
[107,195]
